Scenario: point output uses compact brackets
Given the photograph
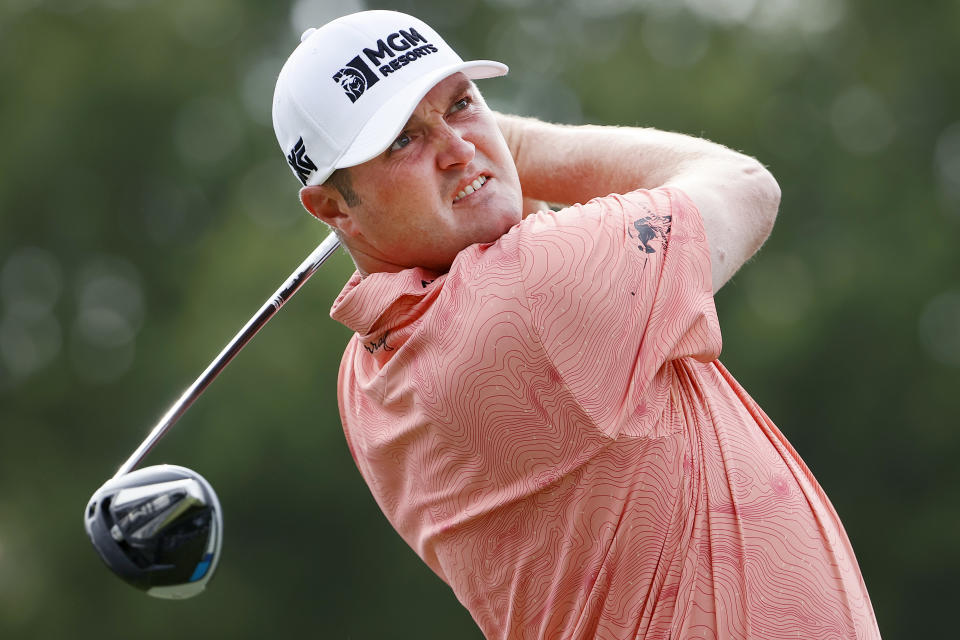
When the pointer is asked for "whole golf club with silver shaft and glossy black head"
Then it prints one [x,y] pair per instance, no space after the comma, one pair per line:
[160,528]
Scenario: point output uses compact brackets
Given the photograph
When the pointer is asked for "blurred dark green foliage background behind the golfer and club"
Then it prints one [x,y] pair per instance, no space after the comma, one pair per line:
[146,213]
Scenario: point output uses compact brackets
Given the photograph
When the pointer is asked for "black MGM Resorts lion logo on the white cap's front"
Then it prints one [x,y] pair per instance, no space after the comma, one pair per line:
[401,47]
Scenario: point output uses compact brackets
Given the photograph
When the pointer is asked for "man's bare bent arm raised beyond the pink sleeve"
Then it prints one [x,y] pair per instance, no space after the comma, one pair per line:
[736,195]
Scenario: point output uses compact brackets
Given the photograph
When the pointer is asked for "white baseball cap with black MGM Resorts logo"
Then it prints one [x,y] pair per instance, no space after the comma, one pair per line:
[348,89]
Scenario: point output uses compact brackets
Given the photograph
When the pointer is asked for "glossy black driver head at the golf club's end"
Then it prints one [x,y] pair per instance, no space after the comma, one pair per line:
[159,528]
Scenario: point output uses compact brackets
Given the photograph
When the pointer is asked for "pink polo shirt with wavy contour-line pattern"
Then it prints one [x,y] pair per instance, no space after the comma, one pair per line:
[548,427]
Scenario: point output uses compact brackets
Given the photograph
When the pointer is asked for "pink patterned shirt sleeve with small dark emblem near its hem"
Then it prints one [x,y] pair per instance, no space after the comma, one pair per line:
[618,288]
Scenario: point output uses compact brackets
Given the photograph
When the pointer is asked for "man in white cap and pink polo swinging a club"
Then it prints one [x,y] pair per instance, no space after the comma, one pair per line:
[534,400]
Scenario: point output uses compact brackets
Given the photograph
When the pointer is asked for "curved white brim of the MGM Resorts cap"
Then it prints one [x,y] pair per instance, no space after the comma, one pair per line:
[388,121]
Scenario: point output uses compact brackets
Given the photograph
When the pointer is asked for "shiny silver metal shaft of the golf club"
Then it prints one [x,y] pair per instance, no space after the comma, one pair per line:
[306,269]
